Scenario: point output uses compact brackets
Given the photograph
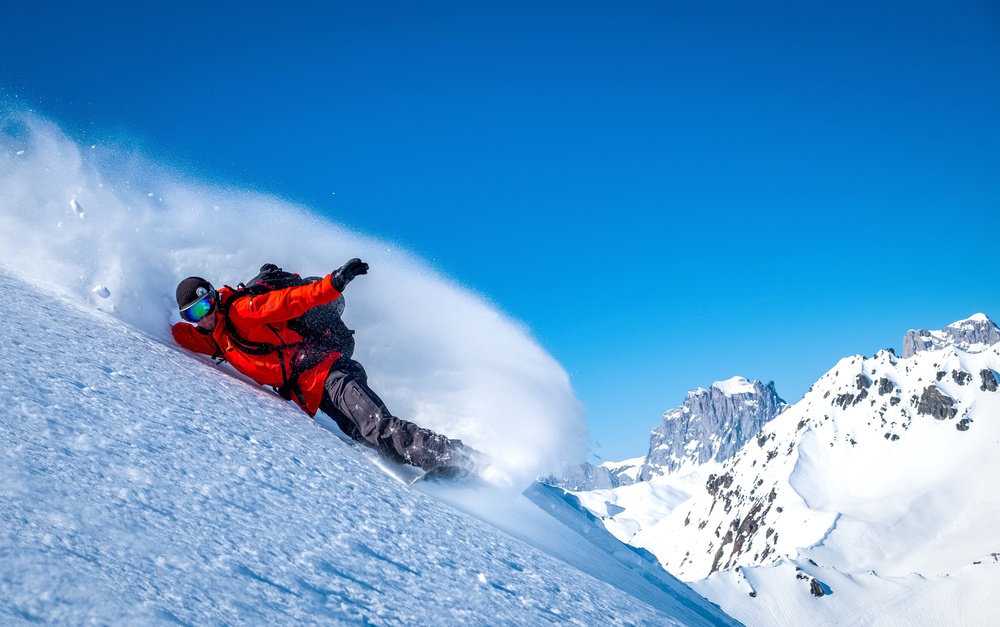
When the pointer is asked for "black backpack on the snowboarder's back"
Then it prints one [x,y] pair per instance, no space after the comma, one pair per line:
[321,327]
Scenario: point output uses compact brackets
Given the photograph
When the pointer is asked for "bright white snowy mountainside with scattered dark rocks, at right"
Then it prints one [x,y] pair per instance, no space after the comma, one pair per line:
[868,501]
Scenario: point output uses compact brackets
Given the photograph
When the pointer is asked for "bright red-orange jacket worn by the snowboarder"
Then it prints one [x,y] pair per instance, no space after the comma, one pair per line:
[264,318]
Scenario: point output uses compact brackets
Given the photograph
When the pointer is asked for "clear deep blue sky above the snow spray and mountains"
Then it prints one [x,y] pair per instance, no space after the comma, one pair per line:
[666,193]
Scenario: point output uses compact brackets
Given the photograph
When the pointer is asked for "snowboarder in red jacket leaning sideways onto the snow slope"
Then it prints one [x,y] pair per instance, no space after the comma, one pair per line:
[257,335]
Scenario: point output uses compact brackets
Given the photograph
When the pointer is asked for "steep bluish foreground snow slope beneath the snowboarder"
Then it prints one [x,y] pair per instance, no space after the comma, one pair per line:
[141,485]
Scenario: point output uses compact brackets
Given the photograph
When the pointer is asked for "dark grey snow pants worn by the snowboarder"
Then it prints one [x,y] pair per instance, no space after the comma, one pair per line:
[362,415]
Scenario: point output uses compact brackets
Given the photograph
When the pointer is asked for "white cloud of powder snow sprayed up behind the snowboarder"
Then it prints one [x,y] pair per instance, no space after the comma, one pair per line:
[117,231]
